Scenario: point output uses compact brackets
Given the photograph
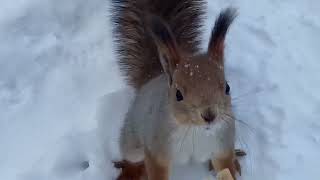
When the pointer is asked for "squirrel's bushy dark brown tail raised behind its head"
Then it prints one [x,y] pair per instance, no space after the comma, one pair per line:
[137,53]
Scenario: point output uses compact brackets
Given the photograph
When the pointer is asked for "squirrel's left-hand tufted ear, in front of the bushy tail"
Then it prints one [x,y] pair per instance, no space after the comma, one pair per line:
[166,45]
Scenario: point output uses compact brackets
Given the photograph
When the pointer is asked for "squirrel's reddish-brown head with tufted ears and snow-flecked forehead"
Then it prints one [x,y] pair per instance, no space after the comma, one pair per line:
[198,91]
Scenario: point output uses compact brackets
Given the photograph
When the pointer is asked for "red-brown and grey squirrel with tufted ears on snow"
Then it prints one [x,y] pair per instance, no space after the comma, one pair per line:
[182,108]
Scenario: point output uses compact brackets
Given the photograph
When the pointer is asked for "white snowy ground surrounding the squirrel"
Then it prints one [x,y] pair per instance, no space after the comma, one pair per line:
[62,100]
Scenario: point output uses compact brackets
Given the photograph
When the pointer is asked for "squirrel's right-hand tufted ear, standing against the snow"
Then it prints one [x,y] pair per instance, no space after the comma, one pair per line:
[221,26]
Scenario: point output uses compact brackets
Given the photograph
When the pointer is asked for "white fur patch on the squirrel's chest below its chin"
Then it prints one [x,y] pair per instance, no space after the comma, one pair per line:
[193,143]
